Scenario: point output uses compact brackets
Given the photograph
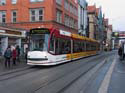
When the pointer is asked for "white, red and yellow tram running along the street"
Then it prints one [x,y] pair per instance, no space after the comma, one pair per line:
[52,47]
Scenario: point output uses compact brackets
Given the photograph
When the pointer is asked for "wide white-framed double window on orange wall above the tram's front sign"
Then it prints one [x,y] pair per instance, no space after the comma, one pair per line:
[36,15]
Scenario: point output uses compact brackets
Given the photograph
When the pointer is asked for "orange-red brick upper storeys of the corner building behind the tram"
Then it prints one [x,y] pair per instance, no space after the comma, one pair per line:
[27,14]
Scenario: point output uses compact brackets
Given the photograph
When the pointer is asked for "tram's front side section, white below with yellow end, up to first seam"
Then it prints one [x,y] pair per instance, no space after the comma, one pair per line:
[60,51]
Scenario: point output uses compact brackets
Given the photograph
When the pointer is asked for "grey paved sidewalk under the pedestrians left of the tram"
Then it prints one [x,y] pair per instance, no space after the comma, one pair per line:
[20,64]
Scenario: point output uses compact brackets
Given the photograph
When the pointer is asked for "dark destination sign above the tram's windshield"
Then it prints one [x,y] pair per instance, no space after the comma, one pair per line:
[39,31]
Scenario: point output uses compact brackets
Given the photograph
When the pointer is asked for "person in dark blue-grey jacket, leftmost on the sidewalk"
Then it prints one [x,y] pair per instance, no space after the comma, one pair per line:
[8,55]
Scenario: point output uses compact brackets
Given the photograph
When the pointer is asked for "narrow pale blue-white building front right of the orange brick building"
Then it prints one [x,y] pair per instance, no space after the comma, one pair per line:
[82,17]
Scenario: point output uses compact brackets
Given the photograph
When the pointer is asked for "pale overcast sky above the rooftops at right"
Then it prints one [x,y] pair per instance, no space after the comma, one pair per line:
[114,10]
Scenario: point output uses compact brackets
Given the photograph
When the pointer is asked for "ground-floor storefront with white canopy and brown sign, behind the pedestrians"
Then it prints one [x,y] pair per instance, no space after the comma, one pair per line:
[10,37]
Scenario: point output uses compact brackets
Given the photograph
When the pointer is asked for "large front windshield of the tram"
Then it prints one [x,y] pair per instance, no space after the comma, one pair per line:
[39,42]
